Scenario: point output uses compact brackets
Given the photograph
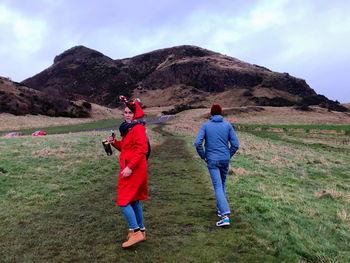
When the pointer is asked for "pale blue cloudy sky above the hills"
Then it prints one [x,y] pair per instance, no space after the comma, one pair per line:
[308,39]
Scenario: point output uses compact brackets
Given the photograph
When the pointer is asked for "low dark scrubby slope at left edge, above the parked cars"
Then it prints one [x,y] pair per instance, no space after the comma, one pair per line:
[18,99]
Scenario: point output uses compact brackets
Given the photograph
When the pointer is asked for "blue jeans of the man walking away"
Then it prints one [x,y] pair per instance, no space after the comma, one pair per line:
[218,172]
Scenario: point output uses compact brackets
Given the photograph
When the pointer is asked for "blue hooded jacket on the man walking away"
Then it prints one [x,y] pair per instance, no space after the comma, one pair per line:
[216,133]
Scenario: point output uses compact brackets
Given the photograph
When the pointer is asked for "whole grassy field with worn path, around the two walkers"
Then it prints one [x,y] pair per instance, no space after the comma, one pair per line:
[288,192]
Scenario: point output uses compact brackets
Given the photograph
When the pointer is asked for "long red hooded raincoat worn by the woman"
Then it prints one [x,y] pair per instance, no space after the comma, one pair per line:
[133,148]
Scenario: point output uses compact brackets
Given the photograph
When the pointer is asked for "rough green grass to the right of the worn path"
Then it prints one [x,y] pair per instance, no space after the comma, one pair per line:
[295,195]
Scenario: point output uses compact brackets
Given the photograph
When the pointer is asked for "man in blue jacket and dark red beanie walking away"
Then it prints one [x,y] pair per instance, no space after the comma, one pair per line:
[217,134]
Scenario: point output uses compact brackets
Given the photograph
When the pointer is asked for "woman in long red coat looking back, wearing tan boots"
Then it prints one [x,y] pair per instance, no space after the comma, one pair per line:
[132,184]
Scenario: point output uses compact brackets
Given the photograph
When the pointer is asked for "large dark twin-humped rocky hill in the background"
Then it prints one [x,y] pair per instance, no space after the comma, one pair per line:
[171,76]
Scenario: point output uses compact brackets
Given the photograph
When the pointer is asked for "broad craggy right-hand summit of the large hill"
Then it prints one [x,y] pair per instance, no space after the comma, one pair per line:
[210,71]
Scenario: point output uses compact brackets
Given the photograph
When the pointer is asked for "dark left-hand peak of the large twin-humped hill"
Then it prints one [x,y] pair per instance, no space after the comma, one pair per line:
[84,73]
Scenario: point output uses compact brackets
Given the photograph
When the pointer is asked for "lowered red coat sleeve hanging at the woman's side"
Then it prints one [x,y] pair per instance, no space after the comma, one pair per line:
[140,144]
